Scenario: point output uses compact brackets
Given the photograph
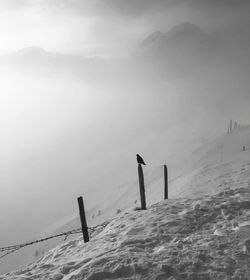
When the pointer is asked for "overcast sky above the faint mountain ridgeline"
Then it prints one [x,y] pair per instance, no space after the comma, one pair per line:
[106,27]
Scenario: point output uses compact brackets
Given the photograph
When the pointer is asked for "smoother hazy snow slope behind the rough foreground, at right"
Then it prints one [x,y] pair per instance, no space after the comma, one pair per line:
[215,165]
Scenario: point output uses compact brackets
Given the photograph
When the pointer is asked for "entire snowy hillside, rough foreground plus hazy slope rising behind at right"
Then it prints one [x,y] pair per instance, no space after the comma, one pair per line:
[201,232]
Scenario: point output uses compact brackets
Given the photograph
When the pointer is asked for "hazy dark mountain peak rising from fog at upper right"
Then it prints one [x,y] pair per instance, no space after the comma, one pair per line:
[185,41]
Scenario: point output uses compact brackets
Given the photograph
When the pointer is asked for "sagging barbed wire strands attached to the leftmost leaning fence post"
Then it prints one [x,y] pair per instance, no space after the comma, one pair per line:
[14,248]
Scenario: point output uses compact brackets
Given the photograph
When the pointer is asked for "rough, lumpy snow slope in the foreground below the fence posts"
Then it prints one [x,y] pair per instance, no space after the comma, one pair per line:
[175,239]
